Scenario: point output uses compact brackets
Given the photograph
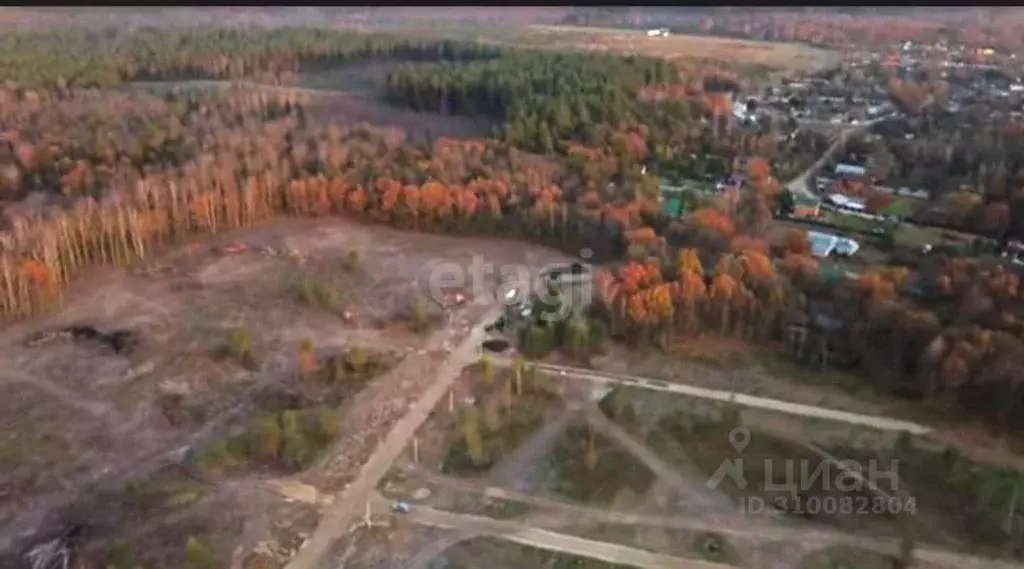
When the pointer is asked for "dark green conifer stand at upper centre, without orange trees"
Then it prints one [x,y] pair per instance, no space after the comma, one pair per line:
[542,98]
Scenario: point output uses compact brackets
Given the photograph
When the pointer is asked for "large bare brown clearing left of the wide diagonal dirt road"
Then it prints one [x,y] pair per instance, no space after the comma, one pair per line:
[283,284]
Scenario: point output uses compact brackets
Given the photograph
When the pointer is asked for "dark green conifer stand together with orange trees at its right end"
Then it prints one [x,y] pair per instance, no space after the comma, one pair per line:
[641,111]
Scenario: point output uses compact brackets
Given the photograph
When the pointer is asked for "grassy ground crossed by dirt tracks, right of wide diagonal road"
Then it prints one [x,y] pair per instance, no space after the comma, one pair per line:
[669,503]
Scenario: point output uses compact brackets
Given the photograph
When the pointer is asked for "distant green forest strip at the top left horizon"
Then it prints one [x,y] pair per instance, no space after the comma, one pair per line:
[81,59]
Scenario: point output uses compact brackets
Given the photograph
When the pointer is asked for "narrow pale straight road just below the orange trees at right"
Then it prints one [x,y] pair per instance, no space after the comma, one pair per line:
[881,423]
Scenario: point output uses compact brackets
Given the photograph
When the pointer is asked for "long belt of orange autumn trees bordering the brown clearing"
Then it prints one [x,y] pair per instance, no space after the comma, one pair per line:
[156,171]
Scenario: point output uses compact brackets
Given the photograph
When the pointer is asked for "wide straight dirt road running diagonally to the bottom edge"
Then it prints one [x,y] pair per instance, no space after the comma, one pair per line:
[351,504]
